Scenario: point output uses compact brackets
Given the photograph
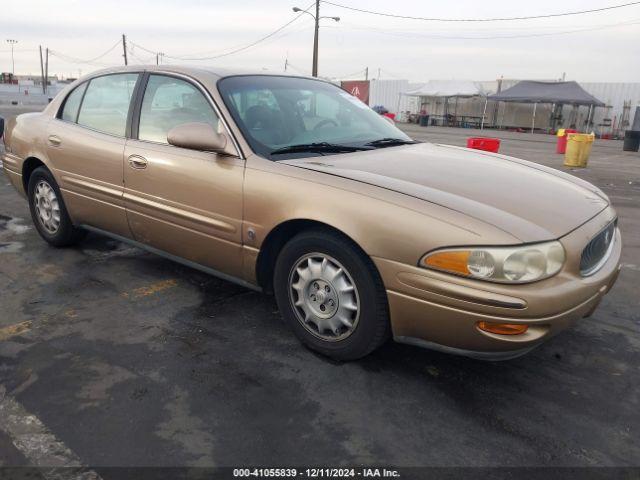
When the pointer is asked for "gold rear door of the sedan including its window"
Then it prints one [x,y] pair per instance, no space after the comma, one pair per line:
[86,146]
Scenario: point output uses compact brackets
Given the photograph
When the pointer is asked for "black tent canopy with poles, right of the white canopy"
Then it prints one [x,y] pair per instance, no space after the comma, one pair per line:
[558,93]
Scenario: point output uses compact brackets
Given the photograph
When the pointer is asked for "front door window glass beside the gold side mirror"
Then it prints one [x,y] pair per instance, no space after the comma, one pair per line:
[169,102]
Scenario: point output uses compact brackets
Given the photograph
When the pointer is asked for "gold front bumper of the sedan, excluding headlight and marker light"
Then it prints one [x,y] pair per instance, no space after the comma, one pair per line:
[440,311]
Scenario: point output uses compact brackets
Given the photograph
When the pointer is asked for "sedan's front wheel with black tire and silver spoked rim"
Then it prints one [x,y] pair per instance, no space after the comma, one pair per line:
[316,268]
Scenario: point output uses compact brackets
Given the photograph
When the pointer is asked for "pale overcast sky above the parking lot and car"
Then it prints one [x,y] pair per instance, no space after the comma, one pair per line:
[600,46]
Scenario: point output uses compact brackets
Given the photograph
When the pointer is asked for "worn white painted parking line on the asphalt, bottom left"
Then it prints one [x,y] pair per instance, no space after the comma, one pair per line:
[38,445]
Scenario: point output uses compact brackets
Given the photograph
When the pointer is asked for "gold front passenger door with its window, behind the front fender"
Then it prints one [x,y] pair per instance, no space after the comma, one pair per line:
[183,202]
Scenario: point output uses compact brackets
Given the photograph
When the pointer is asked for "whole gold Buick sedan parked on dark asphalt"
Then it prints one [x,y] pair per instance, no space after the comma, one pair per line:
[290,185]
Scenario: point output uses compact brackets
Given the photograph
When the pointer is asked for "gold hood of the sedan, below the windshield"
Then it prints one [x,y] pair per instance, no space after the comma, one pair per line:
[525,199]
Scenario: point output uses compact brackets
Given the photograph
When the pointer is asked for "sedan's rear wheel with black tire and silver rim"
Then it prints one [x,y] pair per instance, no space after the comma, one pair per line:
[48,211]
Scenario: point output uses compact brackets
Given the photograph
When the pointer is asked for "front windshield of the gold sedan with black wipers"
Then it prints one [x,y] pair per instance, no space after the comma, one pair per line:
[288,117]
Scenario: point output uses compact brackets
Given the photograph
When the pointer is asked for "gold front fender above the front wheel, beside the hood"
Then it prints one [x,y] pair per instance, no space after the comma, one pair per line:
[384,224]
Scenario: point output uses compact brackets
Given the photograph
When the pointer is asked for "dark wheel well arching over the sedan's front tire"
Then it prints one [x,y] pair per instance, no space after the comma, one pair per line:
[276,240]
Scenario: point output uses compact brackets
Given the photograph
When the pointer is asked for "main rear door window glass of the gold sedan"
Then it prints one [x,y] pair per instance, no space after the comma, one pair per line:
[106,103]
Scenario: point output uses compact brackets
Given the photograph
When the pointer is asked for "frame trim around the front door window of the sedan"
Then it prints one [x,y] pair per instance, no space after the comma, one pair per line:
[135,124]
